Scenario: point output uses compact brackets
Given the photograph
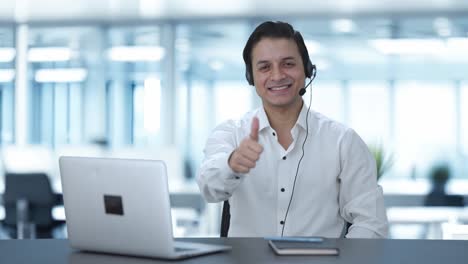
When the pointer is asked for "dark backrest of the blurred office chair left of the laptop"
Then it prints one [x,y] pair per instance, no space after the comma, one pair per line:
[36,190]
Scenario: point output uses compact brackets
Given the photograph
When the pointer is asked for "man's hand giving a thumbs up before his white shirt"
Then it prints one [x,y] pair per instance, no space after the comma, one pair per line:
[246,155]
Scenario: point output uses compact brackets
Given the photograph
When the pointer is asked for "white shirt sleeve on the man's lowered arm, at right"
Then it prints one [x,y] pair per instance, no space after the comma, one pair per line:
[361,198]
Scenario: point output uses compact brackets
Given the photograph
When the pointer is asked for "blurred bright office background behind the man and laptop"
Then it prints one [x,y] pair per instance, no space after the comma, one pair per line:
[152,78]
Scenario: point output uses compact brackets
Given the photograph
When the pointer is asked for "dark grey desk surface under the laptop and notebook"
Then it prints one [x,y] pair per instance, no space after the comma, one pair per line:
[252,250]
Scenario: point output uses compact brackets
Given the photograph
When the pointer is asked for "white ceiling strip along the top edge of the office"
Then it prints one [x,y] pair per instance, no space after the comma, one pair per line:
[53,10]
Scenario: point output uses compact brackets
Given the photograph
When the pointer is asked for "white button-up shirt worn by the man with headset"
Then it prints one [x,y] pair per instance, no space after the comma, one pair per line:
[336,182]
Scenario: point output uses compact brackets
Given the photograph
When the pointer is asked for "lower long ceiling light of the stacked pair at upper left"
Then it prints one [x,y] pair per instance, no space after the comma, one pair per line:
[60,75]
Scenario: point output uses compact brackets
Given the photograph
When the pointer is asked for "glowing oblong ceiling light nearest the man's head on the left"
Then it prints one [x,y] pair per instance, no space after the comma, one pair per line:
[136,53]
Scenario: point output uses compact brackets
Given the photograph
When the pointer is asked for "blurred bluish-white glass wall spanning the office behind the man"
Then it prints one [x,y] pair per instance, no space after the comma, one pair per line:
[170,83]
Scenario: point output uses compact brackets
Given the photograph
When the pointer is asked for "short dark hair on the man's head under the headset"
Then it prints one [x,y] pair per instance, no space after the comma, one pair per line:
[272,29]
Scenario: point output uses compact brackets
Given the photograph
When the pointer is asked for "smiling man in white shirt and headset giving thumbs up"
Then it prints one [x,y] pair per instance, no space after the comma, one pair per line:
[285,169]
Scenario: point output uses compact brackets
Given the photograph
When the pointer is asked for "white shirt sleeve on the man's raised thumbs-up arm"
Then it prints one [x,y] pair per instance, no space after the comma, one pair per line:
[216,180]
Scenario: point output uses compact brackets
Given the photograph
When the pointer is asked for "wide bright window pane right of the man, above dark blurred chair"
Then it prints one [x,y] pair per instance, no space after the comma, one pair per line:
[425,124]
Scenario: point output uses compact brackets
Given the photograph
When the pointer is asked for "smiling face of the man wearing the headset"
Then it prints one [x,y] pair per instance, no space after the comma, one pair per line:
[278,72]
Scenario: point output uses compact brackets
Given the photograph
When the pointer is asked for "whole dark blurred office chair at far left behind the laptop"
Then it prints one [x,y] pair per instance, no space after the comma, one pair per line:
[30,196]
